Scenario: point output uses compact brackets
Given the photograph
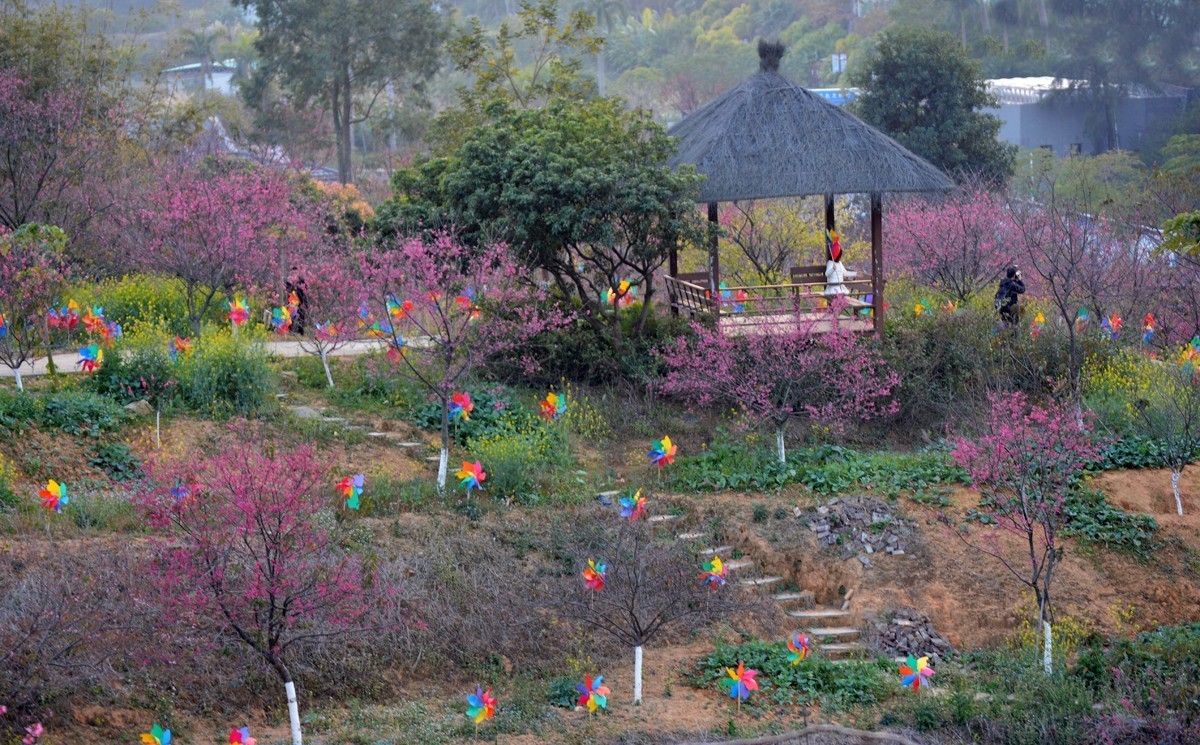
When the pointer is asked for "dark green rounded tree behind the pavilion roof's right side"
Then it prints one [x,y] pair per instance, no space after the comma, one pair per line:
[921,88]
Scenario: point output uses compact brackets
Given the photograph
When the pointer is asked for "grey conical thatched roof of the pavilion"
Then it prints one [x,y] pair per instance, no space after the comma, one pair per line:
[771,139]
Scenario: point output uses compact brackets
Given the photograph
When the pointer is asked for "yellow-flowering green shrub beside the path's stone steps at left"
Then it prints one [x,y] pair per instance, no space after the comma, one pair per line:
[226,375]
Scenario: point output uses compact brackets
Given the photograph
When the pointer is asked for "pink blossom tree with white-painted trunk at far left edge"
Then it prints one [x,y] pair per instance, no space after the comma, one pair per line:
[33,273]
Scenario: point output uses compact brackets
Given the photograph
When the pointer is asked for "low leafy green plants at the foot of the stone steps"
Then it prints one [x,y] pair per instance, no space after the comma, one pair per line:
[835,686]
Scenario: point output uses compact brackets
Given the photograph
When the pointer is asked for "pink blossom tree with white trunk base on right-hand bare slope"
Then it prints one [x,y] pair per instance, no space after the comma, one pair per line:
[1024,464]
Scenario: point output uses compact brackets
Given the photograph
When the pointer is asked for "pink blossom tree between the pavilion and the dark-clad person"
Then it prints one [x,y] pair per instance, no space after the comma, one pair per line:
[957,245]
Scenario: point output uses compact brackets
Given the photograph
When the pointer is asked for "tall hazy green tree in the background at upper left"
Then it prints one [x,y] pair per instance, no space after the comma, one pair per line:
[344,56]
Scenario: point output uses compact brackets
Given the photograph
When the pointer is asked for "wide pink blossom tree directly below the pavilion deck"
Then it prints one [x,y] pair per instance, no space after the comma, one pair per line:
[832,378]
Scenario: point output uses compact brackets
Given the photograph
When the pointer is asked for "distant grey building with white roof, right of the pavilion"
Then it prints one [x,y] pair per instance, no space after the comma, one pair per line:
[1045,113]
